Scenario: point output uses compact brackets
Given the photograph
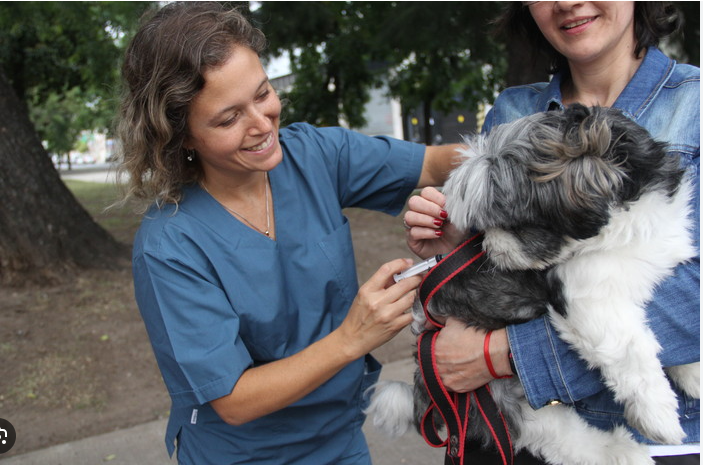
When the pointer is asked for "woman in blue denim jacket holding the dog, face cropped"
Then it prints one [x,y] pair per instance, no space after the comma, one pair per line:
[604,53]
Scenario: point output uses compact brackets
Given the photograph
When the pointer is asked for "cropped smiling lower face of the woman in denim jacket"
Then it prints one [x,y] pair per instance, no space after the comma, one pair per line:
[587,31]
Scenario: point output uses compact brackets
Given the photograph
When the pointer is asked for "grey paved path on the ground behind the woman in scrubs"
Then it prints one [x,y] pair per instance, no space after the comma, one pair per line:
[144,444]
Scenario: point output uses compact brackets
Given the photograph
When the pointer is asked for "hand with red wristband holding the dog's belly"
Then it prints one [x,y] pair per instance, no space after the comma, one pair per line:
[460,360]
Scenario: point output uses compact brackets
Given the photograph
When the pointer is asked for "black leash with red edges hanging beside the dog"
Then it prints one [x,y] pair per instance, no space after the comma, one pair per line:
[454,407]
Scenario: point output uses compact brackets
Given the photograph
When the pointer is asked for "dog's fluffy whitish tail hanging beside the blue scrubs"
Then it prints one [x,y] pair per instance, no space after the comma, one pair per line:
[391,407]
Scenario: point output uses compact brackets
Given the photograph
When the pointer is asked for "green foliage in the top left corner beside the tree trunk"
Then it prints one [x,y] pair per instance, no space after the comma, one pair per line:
[62,59]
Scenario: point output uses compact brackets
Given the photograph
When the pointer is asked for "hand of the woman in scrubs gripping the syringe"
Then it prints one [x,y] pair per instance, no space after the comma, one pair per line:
[380,310]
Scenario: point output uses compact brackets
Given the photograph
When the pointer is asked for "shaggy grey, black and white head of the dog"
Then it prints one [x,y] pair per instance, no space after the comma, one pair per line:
[548,180]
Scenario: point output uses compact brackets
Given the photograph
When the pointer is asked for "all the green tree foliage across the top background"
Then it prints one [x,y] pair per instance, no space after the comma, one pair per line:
[62,58]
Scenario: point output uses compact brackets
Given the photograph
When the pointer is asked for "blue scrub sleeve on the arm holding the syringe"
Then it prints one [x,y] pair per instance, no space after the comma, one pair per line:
[193,330]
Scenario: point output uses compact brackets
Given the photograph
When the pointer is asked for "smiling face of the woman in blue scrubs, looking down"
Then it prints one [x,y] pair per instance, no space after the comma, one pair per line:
[233,122]
